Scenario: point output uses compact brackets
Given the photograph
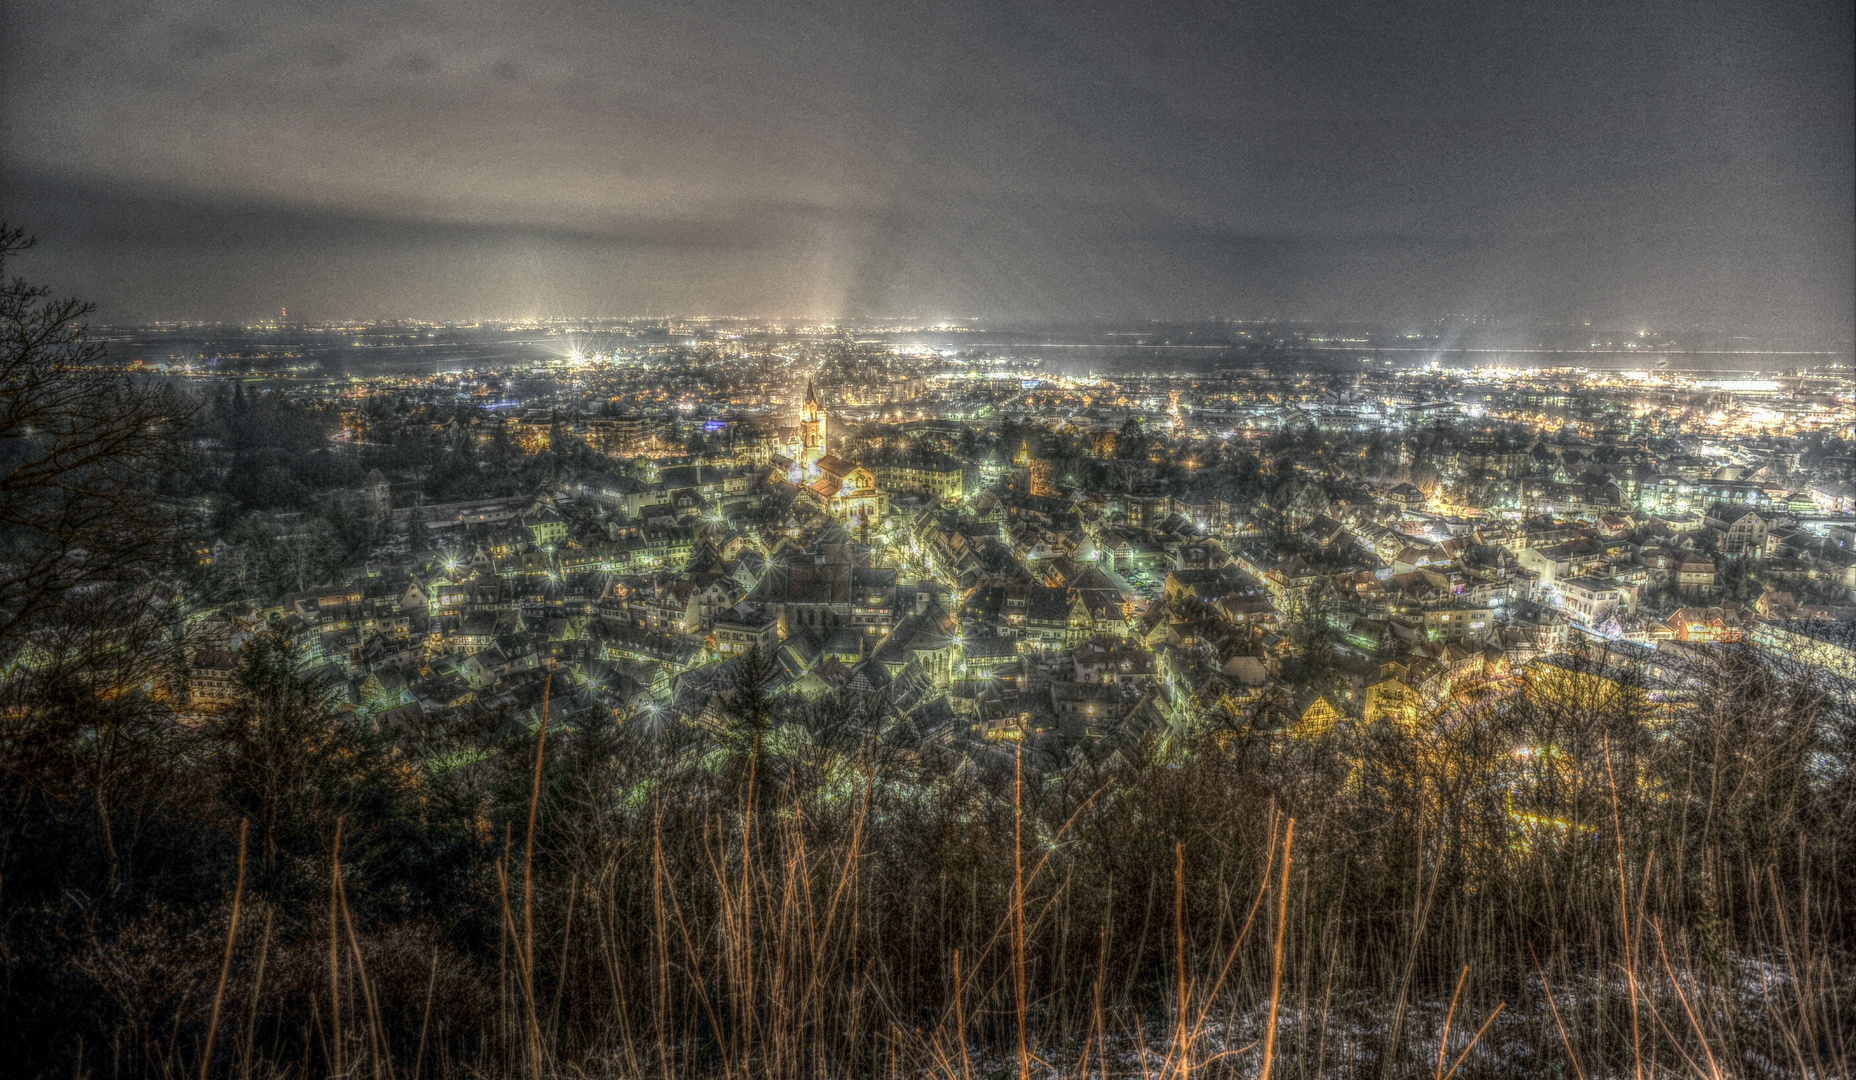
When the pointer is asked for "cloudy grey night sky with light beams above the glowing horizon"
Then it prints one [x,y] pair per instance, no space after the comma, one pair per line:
[1656,164]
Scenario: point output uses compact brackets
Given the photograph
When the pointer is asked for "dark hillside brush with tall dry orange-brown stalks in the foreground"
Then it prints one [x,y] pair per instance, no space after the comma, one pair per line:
[1592,882]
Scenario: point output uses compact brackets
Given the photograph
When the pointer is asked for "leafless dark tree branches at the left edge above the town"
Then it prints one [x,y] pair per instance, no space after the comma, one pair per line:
[81,448]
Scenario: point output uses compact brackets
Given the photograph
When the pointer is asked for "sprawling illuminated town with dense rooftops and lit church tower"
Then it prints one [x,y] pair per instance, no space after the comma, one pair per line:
[1003,548]
